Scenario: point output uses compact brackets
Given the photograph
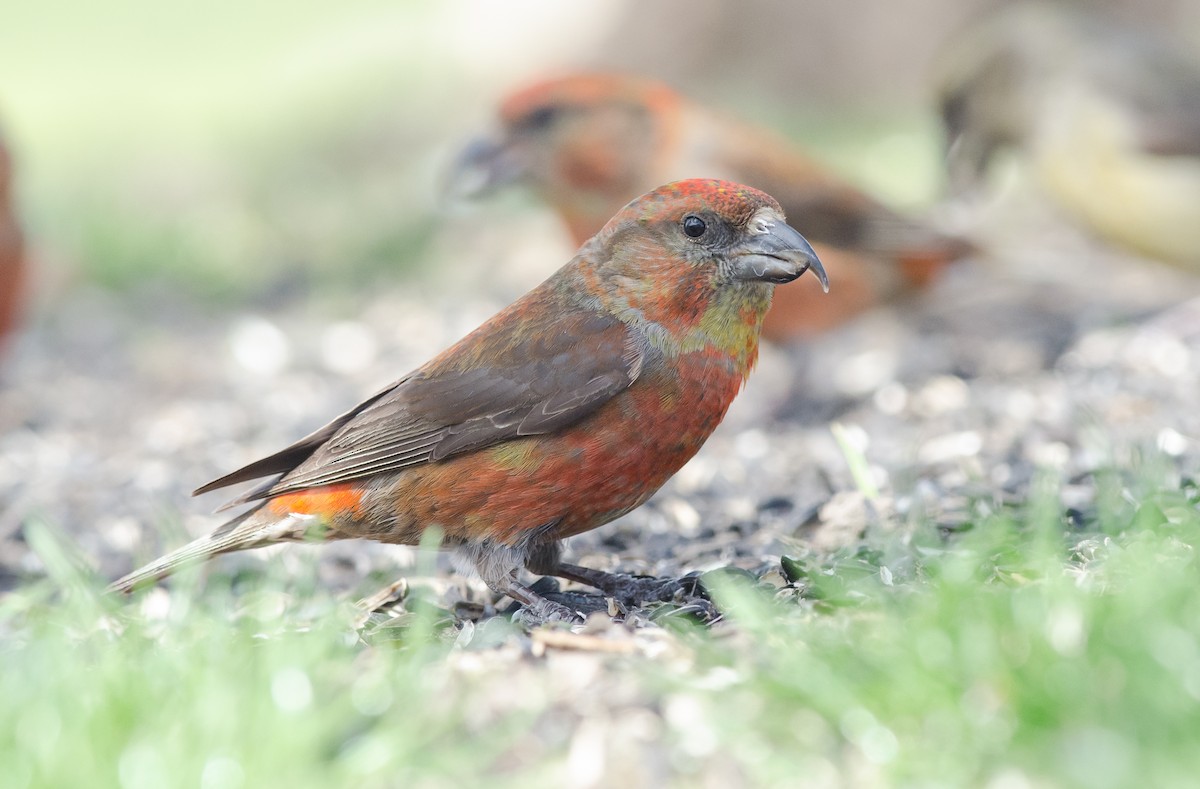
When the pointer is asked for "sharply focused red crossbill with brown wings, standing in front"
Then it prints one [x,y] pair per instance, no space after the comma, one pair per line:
[562,413]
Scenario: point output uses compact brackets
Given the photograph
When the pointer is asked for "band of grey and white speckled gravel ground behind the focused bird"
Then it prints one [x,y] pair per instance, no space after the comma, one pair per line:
[1058,354]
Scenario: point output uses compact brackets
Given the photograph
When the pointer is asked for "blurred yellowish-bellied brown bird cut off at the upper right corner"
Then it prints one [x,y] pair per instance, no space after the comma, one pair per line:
[1107,117]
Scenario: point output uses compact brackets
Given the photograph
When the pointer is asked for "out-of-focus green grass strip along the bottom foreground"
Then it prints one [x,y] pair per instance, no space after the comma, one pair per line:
[1022,652]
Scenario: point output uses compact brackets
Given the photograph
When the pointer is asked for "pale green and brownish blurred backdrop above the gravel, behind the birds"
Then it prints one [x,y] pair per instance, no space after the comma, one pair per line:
[232,149]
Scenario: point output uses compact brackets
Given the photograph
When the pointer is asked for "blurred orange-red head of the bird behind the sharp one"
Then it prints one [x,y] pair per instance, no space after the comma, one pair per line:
[585,144]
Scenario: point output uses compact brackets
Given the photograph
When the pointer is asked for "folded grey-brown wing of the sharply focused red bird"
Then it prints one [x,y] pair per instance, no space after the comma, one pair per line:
[565,371]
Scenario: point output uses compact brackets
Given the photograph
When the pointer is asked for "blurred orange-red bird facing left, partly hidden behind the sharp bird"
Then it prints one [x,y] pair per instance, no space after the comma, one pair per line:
[587,144]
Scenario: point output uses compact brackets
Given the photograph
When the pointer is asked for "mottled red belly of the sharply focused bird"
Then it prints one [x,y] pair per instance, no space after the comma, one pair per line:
[560,485]
